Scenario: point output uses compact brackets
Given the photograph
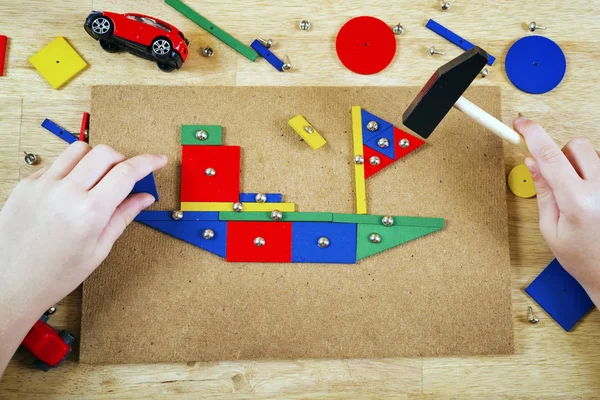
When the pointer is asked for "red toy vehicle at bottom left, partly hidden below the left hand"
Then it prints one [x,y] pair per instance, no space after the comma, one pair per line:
[48,346]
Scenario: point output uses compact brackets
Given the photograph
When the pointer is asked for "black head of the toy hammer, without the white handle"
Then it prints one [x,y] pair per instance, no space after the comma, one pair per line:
[444,88]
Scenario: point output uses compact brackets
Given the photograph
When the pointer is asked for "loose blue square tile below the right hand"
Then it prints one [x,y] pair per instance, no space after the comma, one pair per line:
[560,295]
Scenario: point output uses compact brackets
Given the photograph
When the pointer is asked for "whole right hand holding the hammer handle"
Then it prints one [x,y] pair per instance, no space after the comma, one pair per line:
[568,194]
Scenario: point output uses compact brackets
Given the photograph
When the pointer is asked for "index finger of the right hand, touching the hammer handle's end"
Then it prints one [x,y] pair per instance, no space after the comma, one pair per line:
[552,163]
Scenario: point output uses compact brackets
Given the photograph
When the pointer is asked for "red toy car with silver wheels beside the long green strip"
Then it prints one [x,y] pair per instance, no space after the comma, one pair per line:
[144,36]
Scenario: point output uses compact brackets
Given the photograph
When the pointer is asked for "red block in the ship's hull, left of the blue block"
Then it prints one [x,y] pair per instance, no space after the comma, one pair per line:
[244,244]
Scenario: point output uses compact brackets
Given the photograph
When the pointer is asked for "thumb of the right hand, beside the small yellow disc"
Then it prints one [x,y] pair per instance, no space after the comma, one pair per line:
[548,208]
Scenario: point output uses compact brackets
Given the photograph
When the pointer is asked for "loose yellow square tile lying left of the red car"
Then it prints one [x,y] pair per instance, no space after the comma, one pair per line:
[58,62]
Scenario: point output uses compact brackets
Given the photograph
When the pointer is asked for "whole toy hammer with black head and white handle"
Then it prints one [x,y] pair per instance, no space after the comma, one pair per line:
[444,90]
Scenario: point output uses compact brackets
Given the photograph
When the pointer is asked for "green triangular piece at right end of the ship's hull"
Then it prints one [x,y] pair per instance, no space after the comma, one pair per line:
[391,236]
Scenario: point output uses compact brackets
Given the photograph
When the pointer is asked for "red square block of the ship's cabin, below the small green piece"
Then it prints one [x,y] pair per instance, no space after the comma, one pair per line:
[210,173]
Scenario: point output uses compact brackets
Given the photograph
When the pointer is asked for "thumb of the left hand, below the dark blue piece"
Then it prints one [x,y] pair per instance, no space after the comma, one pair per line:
[123,215]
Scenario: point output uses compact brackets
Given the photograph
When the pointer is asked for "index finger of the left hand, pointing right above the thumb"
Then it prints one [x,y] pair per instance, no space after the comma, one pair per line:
[118,182]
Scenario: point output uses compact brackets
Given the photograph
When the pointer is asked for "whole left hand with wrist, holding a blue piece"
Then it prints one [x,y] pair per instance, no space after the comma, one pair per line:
[58,225]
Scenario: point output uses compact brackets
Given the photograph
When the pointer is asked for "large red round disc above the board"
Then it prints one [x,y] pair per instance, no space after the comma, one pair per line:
[366,45]
